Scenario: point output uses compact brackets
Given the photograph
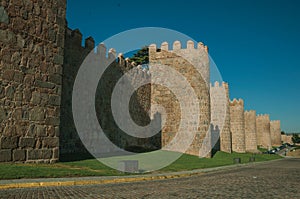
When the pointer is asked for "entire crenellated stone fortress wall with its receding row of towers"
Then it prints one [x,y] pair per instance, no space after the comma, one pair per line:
[40,58]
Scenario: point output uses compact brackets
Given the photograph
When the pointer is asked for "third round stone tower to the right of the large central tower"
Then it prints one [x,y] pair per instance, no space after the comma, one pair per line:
[250,131]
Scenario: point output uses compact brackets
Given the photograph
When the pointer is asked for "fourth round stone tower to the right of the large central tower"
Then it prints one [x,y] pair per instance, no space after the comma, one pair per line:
[263,131]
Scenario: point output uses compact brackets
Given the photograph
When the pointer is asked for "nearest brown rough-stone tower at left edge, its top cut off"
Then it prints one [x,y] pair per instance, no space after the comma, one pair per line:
[31,43]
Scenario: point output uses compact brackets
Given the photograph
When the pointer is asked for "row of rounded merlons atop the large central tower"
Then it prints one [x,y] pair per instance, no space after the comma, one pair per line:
[177,47]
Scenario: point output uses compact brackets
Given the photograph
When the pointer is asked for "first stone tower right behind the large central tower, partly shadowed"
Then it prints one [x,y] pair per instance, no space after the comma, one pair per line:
[220,113]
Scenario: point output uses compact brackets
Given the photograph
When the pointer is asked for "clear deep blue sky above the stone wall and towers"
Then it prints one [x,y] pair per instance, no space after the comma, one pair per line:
[255,43]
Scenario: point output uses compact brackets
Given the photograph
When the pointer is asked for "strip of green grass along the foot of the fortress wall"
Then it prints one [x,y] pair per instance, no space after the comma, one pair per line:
[92,167]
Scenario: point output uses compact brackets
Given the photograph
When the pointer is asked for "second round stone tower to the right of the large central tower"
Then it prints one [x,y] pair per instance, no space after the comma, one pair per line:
[237,125]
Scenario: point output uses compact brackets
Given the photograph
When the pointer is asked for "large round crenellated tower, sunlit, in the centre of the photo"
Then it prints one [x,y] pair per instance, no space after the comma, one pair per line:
[185,62]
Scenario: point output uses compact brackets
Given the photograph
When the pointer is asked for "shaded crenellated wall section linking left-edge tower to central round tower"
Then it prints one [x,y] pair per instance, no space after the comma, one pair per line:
[139,106]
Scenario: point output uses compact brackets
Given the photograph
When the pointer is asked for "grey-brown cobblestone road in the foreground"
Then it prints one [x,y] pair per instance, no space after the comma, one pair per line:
[278,179]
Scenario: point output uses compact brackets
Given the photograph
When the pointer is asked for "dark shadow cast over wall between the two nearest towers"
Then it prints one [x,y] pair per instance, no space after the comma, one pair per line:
[71,147]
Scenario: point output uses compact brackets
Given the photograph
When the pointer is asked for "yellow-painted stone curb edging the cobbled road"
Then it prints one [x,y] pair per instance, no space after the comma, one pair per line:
[53,182]
